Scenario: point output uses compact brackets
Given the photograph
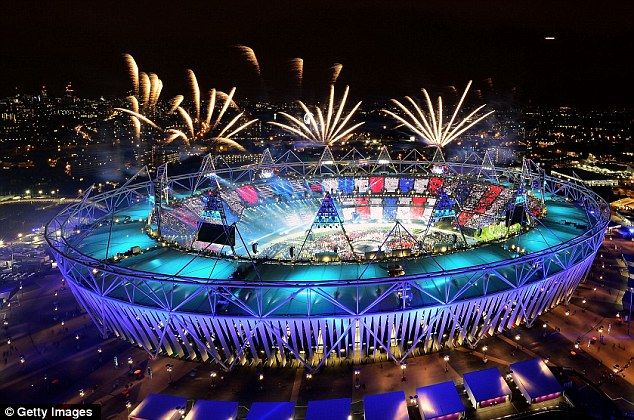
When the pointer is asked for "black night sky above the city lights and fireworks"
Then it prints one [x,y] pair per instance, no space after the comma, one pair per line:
[388,48]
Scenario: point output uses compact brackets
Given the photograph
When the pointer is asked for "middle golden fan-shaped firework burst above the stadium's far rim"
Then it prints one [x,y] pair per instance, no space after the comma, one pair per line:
[326,129]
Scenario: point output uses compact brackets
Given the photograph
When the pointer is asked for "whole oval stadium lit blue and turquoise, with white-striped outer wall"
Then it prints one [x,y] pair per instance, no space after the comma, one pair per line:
[335,259]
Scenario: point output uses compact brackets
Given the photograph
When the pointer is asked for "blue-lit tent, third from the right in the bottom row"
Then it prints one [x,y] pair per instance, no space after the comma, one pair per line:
[439,400]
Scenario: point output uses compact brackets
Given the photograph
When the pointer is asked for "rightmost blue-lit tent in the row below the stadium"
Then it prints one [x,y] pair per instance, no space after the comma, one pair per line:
[534,379]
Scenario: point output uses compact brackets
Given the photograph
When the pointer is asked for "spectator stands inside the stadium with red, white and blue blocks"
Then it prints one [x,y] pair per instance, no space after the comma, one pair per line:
[269,207]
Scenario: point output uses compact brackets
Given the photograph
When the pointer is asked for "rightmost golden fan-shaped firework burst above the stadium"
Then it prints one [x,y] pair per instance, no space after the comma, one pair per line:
[429,126]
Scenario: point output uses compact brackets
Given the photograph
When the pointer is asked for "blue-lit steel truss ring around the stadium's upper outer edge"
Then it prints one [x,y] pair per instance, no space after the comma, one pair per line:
[62,227]
